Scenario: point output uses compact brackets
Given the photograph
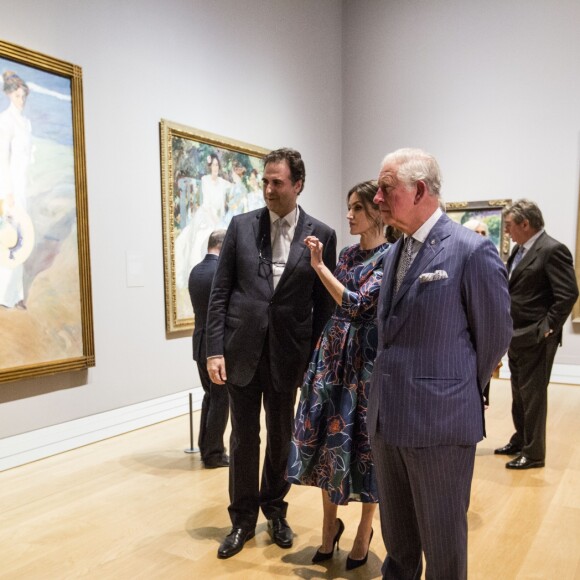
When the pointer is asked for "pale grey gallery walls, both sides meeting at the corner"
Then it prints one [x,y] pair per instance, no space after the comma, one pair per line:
[491,88]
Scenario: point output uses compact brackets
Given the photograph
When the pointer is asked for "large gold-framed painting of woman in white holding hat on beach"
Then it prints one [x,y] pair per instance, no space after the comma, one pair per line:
[45,283]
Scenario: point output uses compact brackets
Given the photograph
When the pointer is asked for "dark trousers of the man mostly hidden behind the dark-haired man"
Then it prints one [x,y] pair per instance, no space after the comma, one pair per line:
[214,417]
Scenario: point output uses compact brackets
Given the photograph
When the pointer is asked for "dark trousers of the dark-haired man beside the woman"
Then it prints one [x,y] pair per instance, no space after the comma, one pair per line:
[247,494]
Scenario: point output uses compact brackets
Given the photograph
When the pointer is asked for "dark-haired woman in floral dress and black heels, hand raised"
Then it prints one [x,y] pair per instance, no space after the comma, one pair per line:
[330,445]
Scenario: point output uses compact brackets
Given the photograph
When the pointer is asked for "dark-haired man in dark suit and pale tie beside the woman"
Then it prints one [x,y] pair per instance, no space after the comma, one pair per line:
[267,309]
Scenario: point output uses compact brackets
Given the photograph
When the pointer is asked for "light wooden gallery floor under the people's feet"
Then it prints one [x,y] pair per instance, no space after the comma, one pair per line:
[136,506]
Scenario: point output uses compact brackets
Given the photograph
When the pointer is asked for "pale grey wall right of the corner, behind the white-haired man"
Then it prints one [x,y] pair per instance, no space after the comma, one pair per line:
[491,88]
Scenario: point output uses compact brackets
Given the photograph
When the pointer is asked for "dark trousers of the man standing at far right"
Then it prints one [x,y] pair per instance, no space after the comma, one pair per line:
[530,368]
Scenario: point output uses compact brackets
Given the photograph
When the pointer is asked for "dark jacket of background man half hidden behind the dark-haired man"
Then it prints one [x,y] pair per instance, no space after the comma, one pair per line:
[200,280]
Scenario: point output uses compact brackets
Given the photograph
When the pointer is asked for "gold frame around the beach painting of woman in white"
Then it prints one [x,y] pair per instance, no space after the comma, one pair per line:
[73,73]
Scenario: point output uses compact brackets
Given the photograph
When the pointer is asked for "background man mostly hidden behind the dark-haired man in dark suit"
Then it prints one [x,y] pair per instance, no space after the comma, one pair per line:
[214,407]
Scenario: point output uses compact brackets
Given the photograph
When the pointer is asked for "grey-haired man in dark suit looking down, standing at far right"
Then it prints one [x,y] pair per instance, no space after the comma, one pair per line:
[543,290]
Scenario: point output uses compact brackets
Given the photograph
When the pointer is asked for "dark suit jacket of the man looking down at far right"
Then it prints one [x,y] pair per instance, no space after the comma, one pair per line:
[543,290]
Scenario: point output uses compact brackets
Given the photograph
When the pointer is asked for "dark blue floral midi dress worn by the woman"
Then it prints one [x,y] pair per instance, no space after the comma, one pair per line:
[330,445]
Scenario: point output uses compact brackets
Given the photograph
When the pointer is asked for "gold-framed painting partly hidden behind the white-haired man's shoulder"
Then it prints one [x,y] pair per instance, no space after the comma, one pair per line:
[490,213]
